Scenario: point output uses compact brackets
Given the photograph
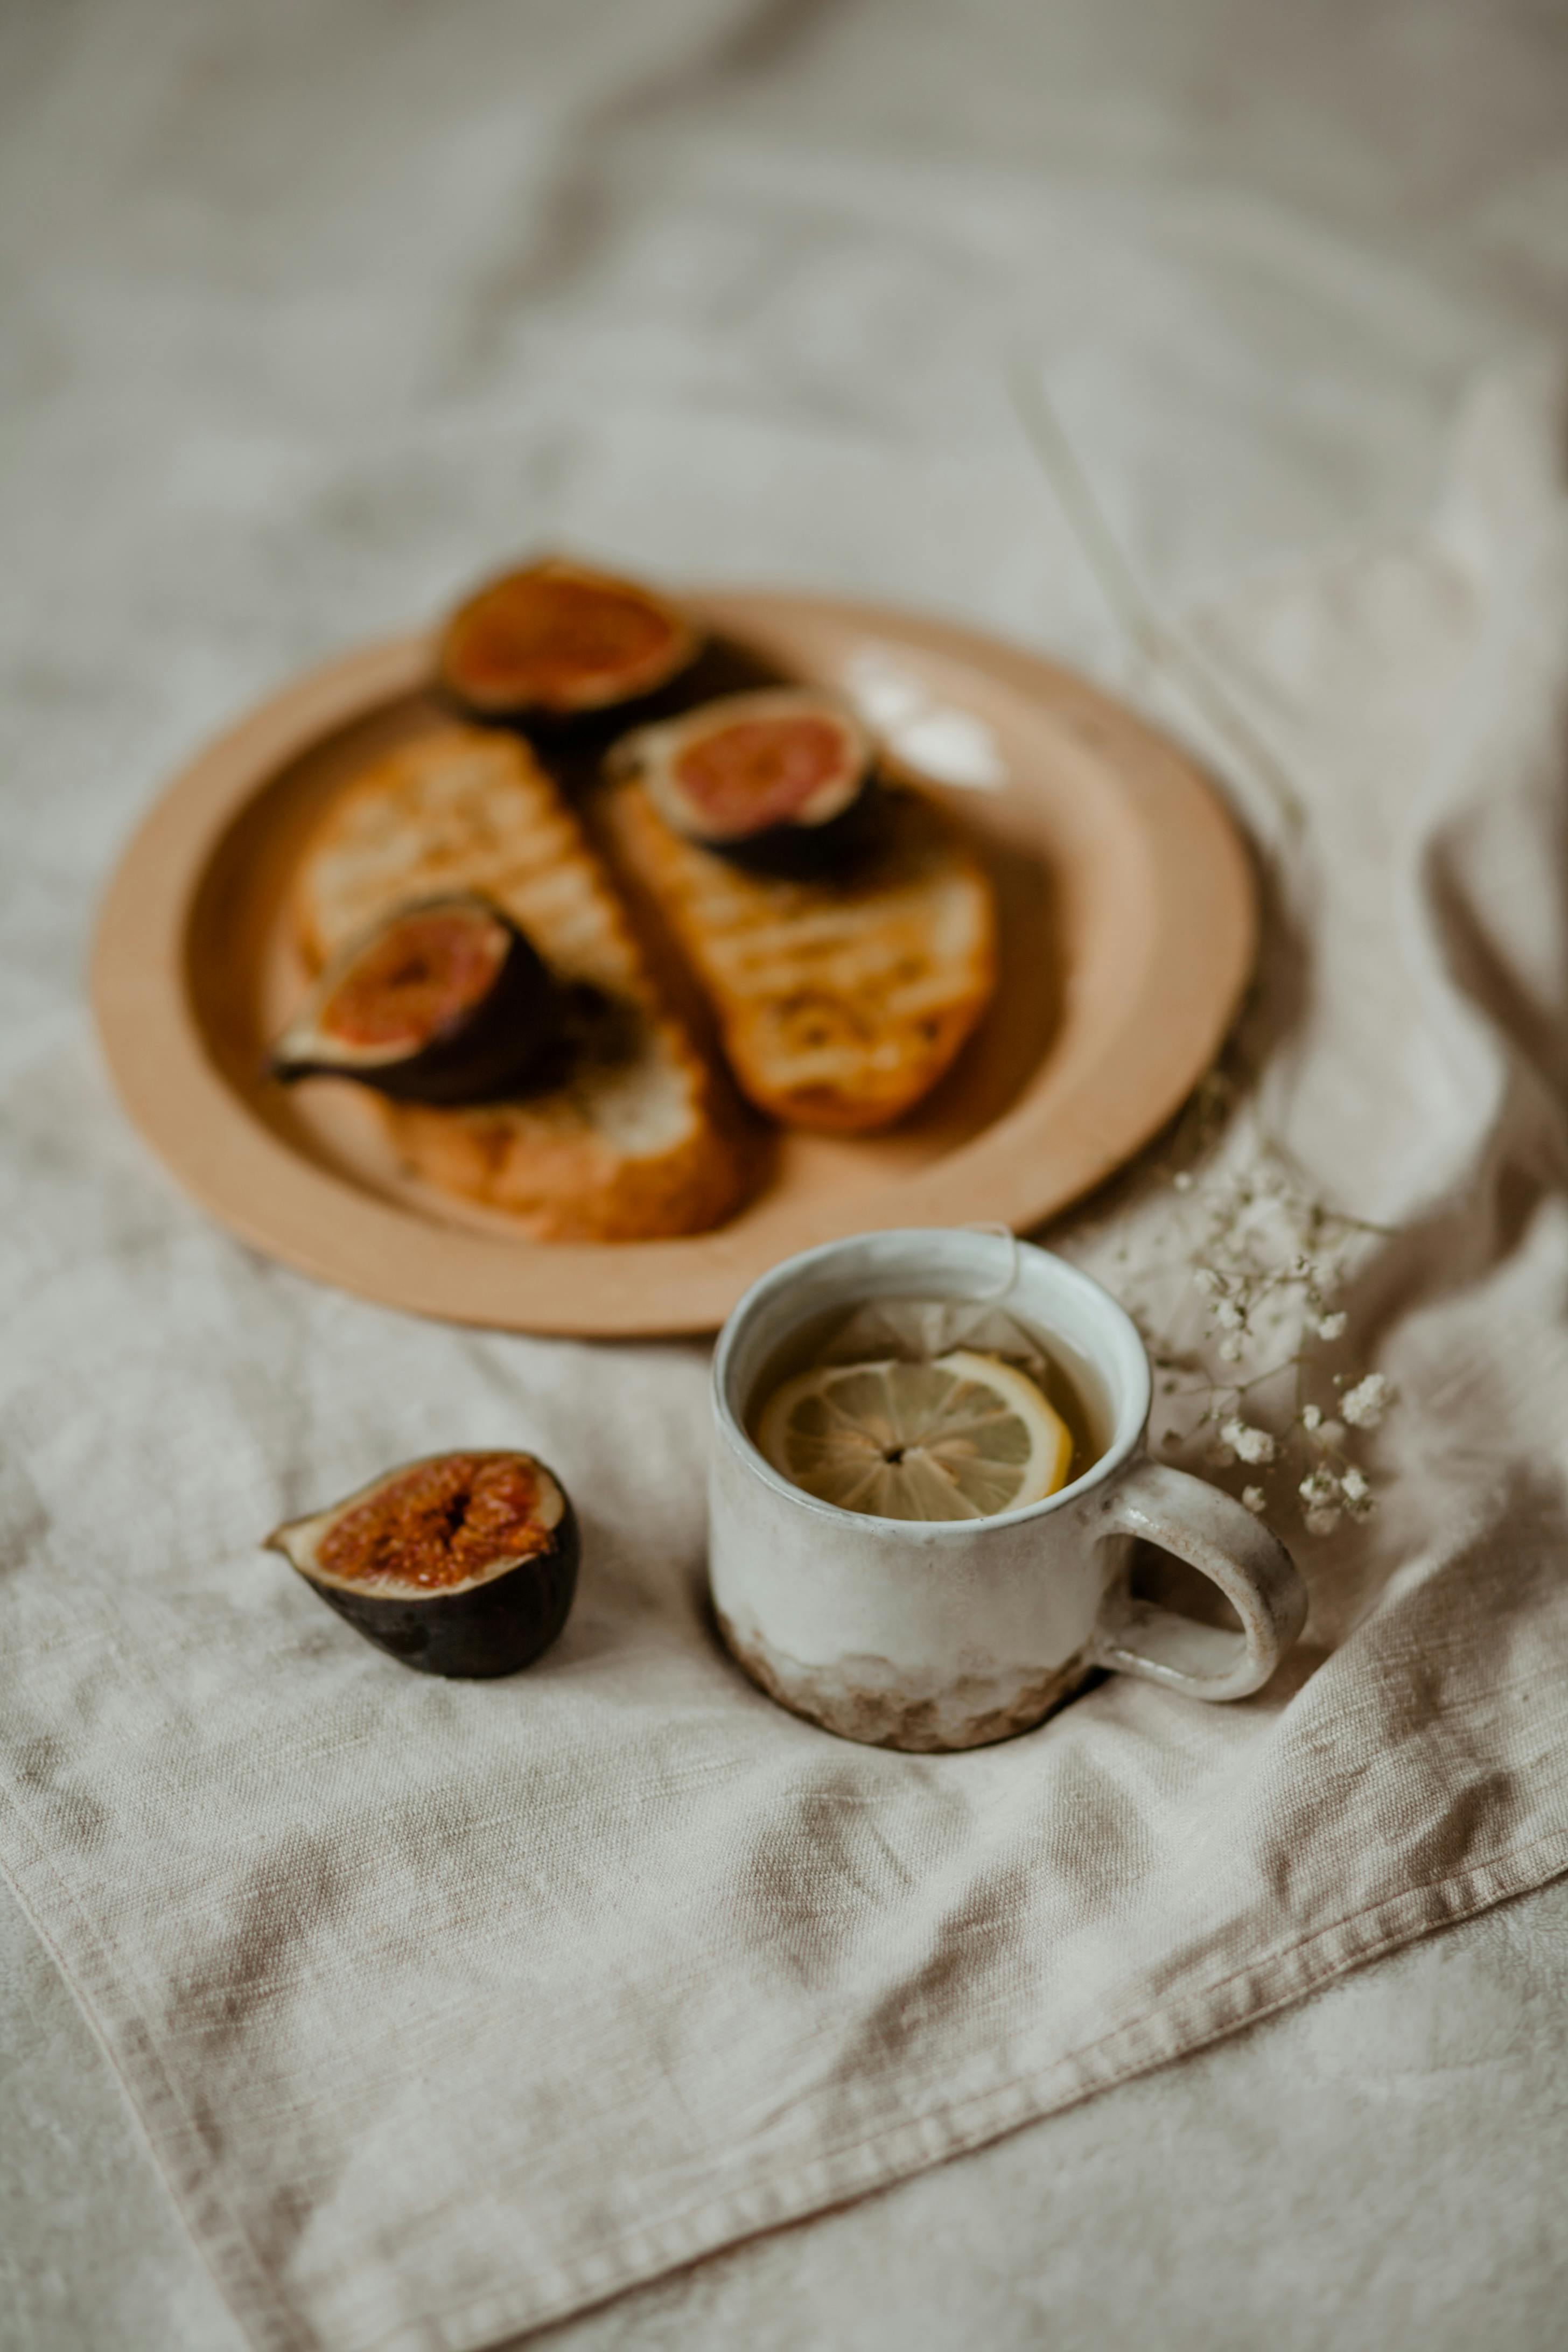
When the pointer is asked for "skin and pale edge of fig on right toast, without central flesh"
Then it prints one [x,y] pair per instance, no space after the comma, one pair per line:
[796,848]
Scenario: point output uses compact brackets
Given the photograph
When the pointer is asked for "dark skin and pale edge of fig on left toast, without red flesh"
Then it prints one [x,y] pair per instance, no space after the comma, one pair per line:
[483,1057]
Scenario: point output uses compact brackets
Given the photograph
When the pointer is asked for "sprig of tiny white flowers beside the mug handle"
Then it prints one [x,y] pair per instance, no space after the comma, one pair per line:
[1268,1264]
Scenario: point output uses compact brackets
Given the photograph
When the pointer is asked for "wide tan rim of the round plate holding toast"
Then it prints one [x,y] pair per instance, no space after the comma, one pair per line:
[290,1208]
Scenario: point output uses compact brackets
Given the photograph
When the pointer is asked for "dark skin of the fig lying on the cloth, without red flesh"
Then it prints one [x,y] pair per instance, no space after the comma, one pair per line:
[469,1633]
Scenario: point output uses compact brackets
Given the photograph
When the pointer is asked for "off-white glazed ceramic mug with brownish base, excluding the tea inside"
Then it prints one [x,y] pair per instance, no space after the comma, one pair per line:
[953,1633]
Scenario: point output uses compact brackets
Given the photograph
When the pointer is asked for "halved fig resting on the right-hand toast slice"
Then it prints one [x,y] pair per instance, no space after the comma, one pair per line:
[775,780]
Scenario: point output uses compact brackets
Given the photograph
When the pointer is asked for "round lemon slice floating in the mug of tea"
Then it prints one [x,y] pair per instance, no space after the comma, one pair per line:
[960,1438]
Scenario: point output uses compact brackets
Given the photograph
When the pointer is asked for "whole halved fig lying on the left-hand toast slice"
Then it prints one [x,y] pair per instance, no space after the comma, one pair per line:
[441,1003]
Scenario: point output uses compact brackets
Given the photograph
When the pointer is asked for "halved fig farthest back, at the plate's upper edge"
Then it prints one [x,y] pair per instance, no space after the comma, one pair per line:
[558,641]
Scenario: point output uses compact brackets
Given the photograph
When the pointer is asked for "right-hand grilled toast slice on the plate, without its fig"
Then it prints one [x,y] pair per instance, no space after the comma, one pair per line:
[840,1001]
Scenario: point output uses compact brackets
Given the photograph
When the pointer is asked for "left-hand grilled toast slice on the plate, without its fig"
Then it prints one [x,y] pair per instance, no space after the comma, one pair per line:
[631,1142]
